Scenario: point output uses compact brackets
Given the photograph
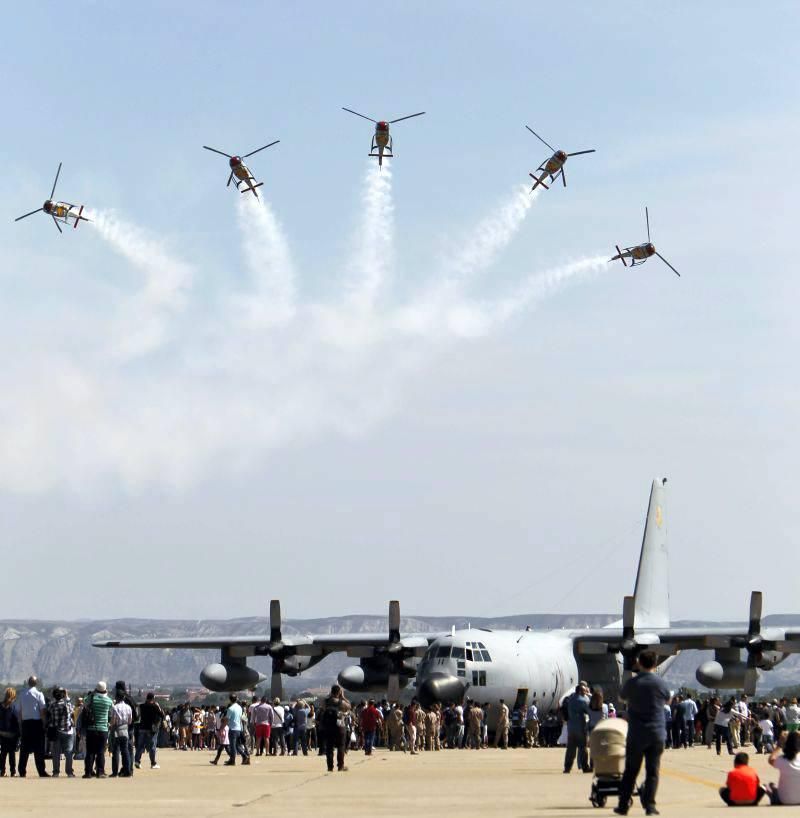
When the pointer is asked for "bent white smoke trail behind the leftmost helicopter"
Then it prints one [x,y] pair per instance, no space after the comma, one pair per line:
[143,327]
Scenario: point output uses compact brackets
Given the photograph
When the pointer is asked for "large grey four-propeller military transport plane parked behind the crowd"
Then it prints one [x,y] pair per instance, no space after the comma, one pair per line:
[517,666]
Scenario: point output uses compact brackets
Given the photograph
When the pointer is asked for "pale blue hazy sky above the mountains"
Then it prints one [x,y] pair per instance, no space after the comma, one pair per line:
[499,453]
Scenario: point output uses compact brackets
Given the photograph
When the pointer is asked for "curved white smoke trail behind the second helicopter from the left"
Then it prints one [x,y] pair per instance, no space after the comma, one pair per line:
[266,251]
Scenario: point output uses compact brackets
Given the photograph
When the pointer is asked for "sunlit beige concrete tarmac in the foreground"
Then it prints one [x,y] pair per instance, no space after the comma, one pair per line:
[508,783]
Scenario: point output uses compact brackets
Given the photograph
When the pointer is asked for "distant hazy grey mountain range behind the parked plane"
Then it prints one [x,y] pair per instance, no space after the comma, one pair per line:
[62,652]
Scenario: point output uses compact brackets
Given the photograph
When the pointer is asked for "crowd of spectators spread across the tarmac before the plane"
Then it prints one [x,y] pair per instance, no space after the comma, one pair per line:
[110,723]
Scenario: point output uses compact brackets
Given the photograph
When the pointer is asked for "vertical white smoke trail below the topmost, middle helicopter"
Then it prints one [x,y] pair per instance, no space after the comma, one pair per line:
[374,256]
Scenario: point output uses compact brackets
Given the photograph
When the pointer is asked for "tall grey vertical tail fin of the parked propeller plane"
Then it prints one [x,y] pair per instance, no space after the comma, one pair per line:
[652,578]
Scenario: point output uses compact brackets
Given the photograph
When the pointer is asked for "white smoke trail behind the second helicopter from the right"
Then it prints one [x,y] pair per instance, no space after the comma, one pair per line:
[482,248]
